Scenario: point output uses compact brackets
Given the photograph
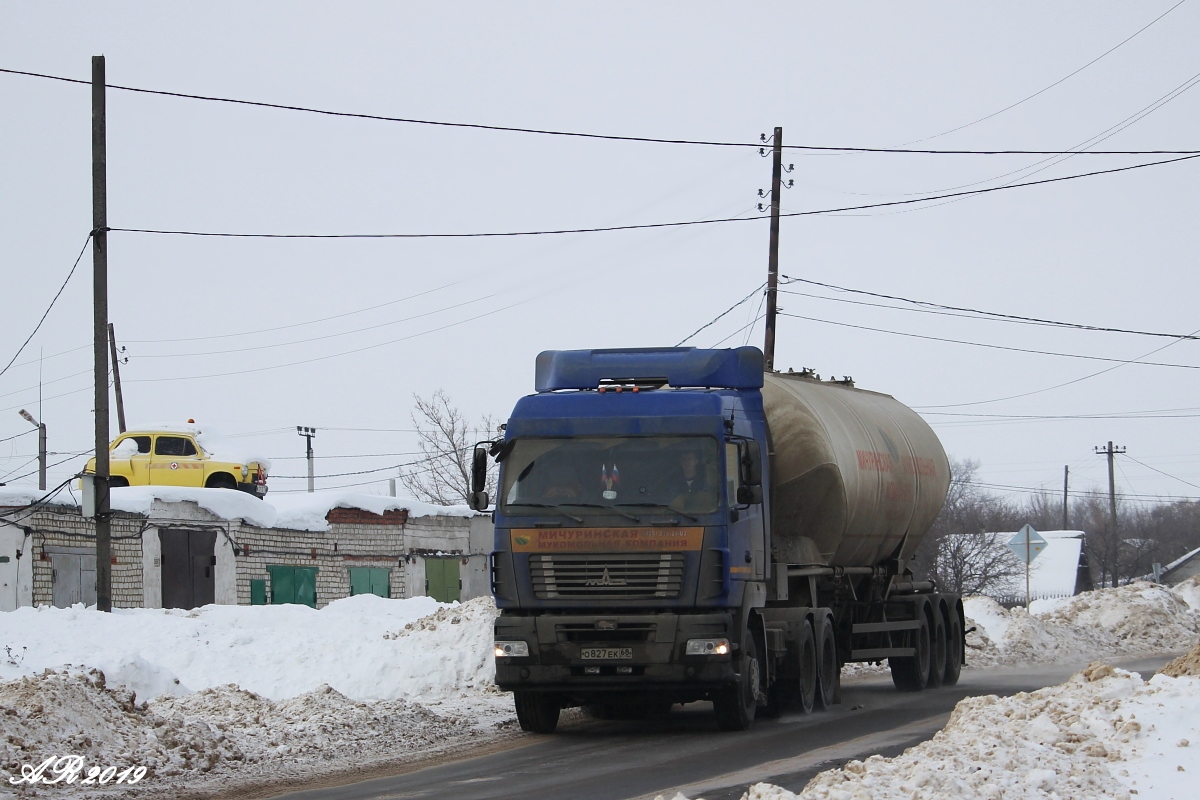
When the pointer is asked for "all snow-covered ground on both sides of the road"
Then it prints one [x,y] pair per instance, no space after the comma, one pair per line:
[226,697]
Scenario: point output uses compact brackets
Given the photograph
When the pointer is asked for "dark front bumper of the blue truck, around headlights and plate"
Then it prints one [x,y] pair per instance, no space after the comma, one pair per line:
[657,642]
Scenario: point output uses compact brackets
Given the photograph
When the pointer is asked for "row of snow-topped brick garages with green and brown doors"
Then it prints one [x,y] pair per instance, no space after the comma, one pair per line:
[183,549]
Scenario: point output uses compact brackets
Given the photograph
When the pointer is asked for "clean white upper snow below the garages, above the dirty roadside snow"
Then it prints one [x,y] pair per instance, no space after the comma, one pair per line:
[278,652]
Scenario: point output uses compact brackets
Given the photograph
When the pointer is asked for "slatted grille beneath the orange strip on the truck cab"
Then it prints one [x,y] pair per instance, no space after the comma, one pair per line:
[566,576]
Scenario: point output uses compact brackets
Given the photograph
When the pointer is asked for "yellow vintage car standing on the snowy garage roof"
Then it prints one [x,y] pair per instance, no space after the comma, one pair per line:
[182,456]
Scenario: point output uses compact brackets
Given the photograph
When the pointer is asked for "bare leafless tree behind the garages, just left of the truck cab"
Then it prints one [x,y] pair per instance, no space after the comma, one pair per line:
[447,440]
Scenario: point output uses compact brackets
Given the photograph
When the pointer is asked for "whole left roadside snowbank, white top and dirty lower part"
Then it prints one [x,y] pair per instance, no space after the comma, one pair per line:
[248,694]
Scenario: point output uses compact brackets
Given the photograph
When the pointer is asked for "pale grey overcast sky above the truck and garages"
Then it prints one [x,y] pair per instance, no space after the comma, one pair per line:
[254,338]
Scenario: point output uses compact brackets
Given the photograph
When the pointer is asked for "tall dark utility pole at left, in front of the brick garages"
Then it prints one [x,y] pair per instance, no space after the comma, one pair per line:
[100,330]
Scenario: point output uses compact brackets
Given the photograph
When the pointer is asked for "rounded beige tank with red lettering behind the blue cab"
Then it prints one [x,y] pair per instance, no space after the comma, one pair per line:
[857,477]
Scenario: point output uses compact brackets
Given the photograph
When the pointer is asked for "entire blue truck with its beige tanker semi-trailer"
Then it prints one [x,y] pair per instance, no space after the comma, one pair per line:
[673,525]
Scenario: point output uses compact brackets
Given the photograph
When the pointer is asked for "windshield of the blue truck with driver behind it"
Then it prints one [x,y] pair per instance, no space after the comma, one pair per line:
[591,476]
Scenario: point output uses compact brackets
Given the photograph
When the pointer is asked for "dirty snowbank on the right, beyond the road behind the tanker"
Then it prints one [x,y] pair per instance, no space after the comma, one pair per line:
[1133,619]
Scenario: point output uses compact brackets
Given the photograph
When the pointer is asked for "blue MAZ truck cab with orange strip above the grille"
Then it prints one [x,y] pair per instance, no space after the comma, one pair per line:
[632,532]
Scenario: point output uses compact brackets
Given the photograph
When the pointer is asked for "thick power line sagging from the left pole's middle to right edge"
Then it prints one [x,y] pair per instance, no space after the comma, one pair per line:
[655,225]
